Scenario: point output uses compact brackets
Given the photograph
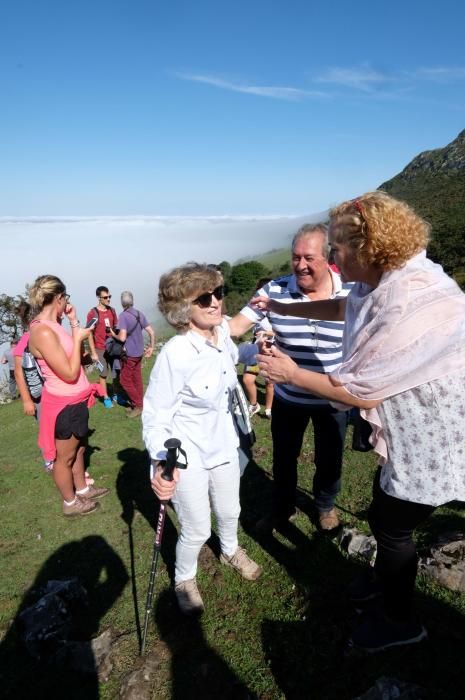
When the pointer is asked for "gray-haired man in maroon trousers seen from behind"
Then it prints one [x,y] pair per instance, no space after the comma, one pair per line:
[131,323]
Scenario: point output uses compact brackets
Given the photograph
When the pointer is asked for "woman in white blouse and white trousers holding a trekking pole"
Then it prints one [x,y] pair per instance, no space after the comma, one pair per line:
[189,397]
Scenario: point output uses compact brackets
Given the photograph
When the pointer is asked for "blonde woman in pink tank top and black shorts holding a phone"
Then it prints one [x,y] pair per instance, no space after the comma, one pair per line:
[66,395]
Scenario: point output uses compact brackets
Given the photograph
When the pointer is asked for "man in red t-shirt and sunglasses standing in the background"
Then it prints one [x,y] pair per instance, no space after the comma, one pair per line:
[104,328]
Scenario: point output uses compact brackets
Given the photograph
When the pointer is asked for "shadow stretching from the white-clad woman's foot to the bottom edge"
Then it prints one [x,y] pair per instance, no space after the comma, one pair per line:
[197,671]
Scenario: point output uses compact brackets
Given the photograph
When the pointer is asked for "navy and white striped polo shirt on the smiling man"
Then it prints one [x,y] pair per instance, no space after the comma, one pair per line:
[313,345]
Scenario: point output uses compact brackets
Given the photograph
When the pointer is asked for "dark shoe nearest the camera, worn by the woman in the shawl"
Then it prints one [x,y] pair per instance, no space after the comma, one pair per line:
[379,632]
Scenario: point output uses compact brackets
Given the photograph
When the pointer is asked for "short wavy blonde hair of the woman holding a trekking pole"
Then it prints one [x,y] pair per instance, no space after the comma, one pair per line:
[180,286]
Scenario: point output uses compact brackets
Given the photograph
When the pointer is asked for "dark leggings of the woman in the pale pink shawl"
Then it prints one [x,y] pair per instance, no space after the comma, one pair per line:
[392,522]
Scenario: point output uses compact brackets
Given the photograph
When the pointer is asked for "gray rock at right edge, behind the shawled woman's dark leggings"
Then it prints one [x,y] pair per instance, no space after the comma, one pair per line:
[445,562]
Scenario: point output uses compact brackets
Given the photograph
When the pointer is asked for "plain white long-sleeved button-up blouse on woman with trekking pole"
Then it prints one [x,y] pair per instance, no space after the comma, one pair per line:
[189,398]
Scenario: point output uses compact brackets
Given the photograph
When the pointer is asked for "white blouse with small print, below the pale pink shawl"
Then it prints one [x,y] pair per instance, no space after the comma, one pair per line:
[425,434]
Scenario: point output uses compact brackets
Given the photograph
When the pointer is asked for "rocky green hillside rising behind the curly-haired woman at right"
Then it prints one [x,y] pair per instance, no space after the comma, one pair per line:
[434,184]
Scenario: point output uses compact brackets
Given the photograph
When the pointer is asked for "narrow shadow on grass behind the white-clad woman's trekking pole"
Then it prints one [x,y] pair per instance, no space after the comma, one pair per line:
[135,495]
